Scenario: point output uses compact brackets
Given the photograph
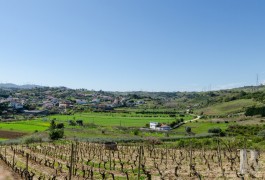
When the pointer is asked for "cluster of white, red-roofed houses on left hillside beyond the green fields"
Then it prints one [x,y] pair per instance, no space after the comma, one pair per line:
[62,99]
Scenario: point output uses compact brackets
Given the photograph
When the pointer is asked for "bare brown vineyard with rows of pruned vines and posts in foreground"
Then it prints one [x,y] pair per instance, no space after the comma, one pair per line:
[83,160]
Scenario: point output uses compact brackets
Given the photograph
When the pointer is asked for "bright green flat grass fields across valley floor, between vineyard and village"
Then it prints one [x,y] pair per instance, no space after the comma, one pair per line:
[109,125]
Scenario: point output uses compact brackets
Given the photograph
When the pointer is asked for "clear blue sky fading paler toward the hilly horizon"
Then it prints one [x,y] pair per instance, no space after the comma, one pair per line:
[123,45]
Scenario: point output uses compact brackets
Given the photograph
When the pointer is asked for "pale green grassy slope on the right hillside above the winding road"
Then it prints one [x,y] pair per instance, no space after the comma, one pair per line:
[226,108]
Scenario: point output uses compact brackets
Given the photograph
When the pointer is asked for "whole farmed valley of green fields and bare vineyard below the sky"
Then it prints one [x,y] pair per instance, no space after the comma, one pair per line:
[189,151]
